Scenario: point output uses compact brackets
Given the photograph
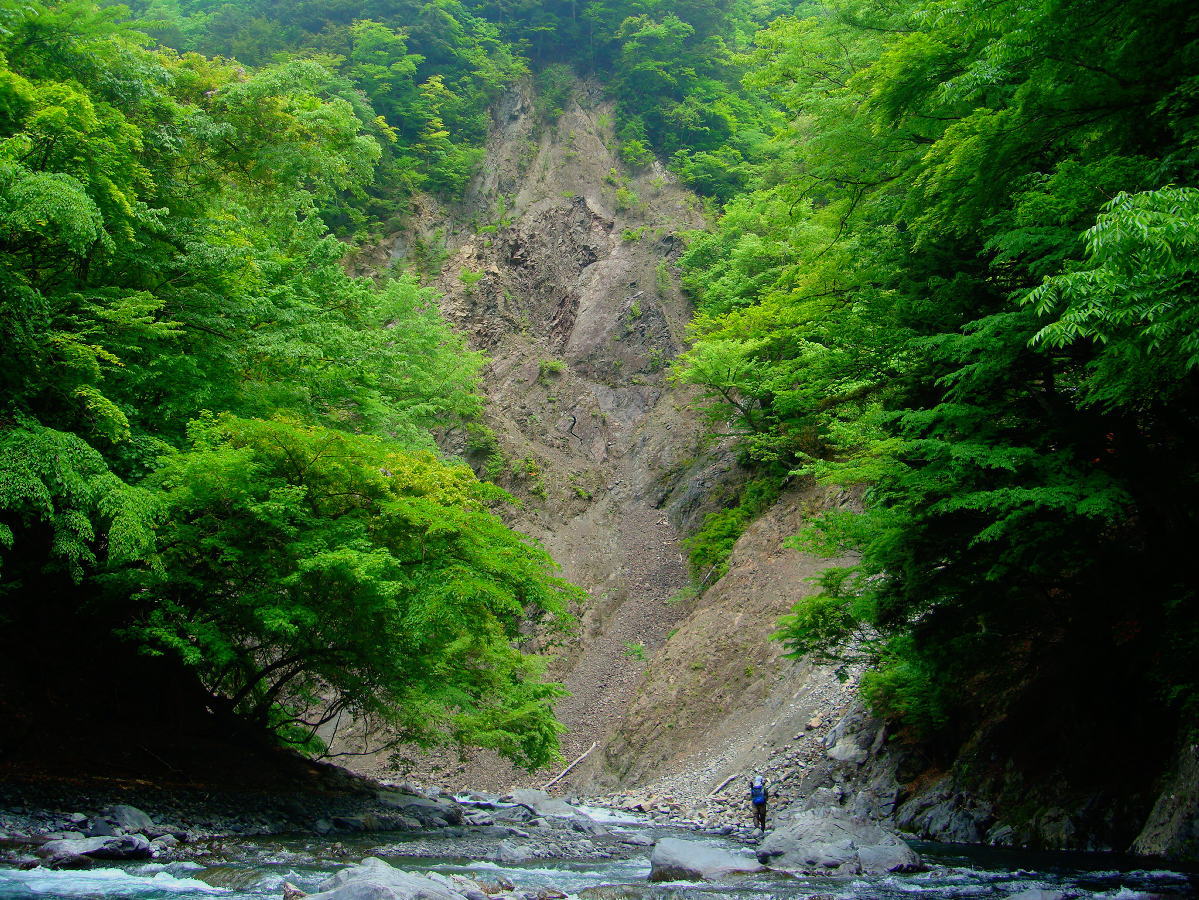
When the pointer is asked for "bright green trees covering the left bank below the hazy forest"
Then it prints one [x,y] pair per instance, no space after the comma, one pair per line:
[214,439]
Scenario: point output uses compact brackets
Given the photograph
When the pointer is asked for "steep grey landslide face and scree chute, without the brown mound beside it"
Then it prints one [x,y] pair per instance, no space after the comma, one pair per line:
[559,265]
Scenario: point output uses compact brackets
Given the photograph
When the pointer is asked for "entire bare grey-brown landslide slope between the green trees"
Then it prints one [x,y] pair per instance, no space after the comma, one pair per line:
[561,267]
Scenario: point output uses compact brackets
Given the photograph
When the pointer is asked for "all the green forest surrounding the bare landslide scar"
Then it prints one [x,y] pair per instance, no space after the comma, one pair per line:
[956,265]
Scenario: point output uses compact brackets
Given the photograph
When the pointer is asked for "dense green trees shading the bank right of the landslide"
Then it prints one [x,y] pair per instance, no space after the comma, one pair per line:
[968,283]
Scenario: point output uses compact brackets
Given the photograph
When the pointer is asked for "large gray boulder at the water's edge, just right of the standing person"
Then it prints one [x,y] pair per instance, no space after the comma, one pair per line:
[830,842]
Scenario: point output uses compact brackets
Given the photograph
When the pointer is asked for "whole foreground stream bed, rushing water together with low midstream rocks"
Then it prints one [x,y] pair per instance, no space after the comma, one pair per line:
[260,868]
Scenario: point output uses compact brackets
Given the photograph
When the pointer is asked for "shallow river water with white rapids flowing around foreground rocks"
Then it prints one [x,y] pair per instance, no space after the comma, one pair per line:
[257,872]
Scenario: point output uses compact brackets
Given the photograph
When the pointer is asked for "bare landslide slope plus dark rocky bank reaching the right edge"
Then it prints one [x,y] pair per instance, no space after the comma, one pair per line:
[561,267]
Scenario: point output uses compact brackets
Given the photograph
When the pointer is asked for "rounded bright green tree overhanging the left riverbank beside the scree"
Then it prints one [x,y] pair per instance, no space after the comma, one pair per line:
[305,572]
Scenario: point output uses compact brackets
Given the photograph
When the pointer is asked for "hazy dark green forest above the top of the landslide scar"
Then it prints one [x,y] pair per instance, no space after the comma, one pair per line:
[430,69]
